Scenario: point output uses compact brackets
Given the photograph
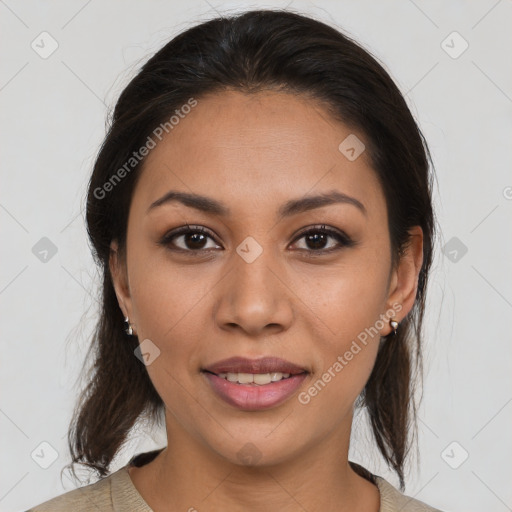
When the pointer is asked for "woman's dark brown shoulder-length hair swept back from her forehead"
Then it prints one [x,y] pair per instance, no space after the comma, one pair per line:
[249,52]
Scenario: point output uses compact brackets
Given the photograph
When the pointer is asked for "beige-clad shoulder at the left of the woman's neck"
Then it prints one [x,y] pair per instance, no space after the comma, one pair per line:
[112,493]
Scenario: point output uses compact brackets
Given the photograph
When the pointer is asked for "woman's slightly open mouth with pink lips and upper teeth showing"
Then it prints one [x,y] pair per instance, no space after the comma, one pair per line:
[254,384]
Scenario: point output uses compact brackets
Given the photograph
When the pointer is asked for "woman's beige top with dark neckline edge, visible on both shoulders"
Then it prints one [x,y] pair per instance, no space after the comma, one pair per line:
[116,492]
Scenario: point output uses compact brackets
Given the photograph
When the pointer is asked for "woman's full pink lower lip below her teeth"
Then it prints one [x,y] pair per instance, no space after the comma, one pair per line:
[255,397]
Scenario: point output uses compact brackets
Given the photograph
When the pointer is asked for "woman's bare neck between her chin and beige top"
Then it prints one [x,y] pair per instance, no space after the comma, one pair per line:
[188,476]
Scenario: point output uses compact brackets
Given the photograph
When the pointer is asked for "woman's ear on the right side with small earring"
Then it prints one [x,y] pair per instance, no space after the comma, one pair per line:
[404,278]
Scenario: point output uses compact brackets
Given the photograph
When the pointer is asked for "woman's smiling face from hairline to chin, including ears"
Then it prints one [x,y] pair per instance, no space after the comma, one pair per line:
[293,261]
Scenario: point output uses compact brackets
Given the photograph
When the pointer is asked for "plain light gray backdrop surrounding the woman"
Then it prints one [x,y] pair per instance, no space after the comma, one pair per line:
[54,111]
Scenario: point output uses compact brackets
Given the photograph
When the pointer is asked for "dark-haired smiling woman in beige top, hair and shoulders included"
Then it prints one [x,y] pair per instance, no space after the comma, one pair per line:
[261,212]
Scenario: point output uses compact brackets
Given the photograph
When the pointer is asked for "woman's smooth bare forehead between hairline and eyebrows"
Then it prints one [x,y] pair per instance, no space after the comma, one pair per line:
[257,147]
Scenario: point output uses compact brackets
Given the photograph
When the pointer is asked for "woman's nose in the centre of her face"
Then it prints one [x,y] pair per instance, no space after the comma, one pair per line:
[254,297]
